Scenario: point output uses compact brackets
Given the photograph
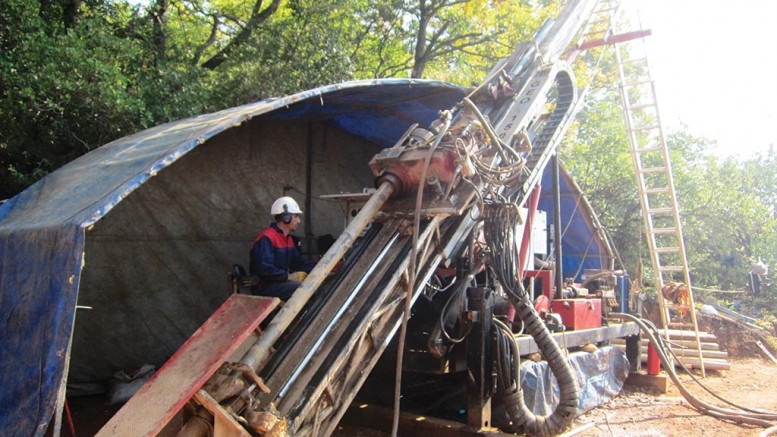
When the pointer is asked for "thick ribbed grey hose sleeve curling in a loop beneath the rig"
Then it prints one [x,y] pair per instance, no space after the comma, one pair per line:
[519,414]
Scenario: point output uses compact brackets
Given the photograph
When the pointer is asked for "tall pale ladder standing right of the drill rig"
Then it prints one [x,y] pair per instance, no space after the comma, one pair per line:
[655,182]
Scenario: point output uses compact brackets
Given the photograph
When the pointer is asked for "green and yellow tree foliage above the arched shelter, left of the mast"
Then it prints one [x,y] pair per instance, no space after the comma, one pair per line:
[74,78]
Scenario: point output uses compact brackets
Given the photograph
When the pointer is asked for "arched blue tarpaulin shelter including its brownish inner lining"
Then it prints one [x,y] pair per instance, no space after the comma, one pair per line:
[113,260]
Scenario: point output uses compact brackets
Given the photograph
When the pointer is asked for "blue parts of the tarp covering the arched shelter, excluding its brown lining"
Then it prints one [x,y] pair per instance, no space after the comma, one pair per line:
[43,230]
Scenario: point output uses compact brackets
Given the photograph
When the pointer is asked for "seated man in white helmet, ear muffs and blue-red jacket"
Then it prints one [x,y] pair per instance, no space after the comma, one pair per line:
[275,253]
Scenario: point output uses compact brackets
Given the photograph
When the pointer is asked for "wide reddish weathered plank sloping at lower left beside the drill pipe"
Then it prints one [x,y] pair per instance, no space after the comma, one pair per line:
[157,402]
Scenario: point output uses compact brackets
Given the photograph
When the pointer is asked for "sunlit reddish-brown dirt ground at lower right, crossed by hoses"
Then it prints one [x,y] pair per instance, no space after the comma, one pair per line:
[751,382]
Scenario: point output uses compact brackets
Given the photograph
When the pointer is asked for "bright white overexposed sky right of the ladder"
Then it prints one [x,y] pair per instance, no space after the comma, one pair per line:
[714,66]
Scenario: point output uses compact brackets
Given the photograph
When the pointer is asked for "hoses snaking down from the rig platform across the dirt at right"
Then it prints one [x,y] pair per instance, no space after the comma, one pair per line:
[762,419]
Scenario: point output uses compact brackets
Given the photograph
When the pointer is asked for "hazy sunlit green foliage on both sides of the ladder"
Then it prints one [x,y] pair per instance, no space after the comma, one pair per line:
[727,207]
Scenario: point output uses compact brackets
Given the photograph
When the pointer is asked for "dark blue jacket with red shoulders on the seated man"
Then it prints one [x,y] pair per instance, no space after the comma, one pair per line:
[274,256]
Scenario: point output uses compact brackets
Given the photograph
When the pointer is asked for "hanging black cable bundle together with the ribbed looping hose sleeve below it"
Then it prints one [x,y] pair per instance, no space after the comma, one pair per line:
[501,233]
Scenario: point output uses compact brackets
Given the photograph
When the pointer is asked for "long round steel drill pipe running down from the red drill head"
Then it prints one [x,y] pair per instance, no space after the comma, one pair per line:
[259,353]
